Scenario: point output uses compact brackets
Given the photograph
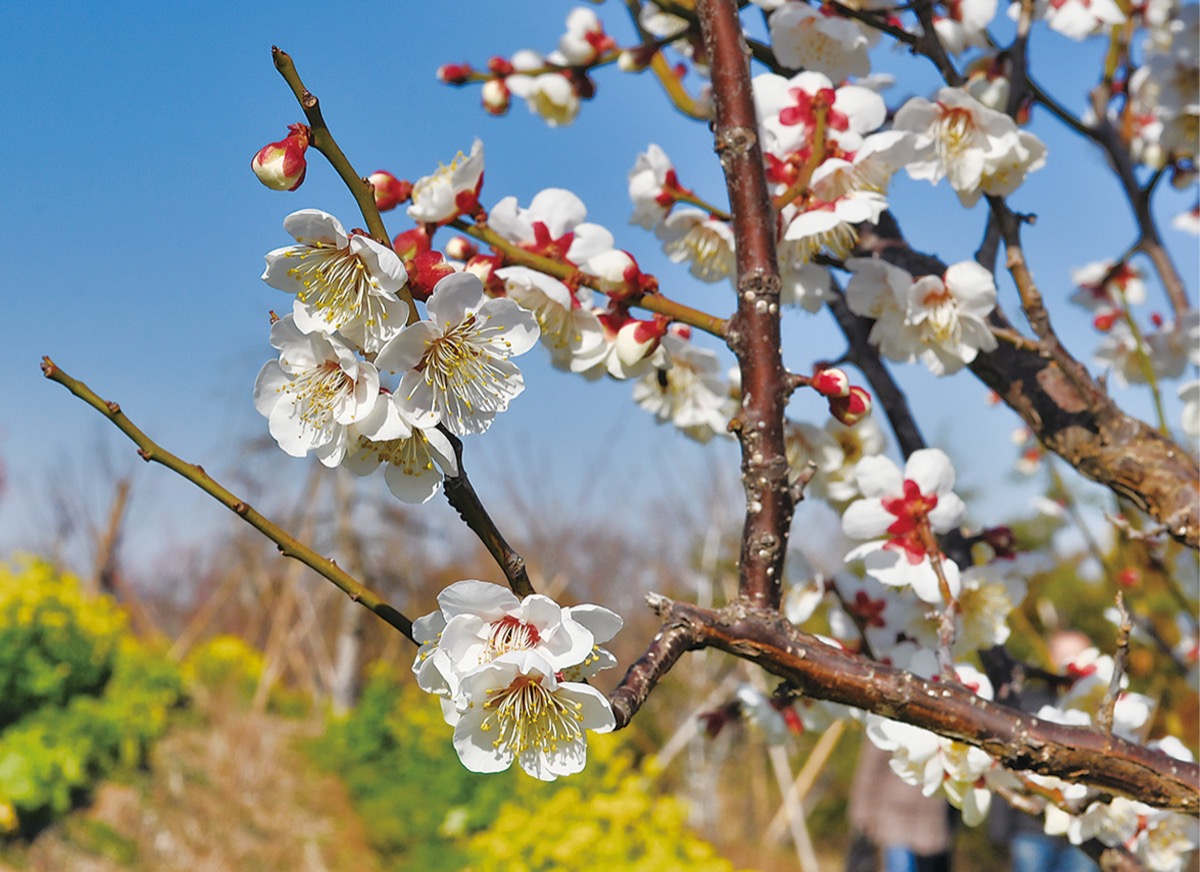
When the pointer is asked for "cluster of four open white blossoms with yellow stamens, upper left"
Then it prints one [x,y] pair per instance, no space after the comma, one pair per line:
[350,328]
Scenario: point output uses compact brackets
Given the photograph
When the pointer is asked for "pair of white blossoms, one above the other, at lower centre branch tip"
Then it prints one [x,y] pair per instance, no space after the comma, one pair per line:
[512,677]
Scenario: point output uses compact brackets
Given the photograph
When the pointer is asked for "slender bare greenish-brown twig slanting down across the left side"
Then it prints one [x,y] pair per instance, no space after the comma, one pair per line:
[291,548]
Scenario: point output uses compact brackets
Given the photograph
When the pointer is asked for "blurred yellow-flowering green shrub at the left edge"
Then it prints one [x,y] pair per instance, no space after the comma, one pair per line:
[93,699]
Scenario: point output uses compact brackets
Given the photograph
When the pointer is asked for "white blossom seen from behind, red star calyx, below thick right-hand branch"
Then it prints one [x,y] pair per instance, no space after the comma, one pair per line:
[908,508]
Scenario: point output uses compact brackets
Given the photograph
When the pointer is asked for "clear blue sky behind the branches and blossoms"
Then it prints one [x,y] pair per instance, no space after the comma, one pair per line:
[136,234]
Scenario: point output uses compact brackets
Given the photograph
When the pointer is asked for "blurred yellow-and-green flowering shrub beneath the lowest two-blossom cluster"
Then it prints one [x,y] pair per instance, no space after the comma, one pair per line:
[424,810]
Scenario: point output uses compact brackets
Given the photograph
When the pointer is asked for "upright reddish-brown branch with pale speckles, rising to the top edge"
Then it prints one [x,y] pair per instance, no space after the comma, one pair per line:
[754,332]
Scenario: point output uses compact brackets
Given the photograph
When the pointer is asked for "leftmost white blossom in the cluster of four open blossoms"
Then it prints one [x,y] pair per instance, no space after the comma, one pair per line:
[315,392]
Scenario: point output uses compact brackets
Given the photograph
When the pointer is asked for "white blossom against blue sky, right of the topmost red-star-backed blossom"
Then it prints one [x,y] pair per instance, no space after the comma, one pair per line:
[977,149]
